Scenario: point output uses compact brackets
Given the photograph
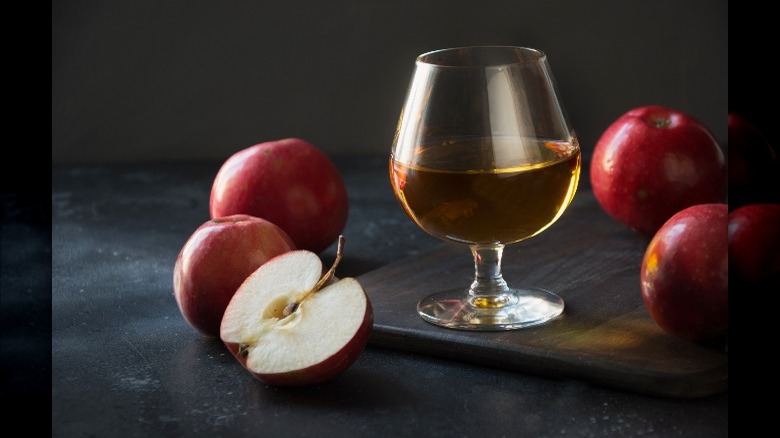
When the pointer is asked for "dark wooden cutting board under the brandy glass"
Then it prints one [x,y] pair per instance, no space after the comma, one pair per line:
[605,335]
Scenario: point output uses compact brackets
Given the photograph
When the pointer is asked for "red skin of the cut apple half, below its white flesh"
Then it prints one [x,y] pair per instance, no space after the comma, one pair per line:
[323,371]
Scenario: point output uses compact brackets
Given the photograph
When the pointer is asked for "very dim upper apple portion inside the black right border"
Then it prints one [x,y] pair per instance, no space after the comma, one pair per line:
[753,166]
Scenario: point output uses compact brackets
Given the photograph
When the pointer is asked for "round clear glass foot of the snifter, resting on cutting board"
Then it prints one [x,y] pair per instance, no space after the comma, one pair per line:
[518,308]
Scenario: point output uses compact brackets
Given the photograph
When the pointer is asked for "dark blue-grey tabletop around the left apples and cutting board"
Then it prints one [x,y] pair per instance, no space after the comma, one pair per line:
[125,363]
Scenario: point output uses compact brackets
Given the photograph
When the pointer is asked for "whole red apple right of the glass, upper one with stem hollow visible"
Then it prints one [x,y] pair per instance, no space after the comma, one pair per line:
[654,161]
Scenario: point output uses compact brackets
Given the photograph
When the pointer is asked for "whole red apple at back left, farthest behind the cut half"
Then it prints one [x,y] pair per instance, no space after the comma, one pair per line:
[288,182]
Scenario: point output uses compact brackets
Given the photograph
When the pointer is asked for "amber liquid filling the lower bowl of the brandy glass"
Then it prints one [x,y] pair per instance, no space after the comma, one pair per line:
[455,191]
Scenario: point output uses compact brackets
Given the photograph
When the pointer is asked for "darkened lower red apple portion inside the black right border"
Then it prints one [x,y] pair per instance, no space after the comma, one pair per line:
[754,246]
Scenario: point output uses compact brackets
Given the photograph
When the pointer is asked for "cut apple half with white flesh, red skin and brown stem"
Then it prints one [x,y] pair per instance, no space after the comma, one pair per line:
[290,325]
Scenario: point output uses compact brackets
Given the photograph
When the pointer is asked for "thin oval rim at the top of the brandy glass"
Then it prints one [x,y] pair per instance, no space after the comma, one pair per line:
[519,54]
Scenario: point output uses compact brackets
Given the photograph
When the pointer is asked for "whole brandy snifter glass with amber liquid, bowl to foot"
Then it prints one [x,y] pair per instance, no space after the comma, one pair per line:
[484,156]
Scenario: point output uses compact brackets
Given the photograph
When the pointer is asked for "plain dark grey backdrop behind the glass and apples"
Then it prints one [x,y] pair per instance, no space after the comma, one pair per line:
[143,81]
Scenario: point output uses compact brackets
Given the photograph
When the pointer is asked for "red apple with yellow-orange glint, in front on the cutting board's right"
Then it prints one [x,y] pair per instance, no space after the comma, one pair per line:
[685,273]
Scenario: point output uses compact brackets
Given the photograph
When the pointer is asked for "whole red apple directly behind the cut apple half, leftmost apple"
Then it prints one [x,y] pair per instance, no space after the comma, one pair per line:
[219,255]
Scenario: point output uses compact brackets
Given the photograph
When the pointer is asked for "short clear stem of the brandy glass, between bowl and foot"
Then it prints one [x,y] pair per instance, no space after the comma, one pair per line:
[489,288]
